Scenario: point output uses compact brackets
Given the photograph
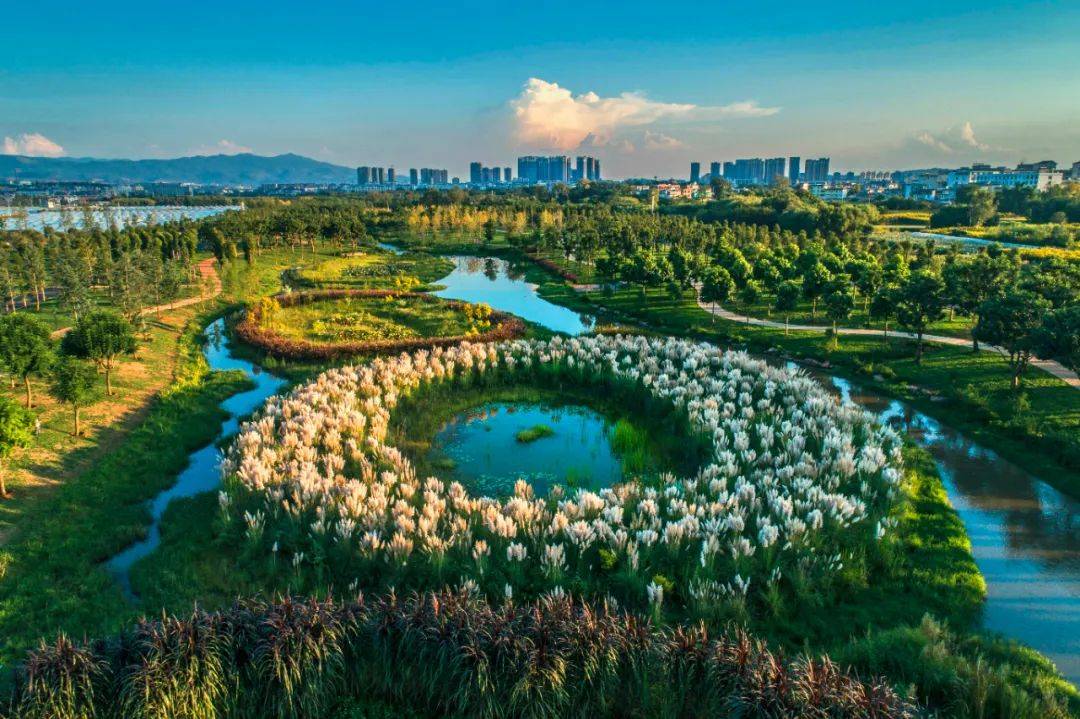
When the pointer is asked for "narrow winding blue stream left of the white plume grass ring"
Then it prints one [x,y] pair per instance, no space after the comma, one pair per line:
[202,472]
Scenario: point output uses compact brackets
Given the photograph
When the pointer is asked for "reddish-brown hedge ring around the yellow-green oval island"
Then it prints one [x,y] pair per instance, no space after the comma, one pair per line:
[251,331]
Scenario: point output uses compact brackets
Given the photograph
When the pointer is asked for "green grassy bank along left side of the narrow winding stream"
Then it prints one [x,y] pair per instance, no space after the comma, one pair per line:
[51,576]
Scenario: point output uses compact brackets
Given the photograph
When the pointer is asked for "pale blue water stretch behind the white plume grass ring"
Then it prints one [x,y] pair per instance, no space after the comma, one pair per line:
[502,284]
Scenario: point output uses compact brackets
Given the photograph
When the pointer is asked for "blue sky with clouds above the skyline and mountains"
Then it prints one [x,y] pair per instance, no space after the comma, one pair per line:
[646,87]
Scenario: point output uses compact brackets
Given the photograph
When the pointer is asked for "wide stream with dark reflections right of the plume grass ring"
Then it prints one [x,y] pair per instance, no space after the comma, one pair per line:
[1025,535]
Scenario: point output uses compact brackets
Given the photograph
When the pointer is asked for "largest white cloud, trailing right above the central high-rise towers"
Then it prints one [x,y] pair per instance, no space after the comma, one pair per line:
[549,116]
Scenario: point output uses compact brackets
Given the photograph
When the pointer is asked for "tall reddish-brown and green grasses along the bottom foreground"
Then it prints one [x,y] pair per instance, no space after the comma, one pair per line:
[439,654]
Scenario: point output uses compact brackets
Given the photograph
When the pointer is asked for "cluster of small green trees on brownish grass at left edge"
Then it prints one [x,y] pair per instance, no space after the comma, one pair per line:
[72,369]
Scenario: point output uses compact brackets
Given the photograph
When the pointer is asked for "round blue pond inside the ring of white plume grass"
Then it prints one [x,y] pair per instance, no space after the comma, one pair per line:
[489,458]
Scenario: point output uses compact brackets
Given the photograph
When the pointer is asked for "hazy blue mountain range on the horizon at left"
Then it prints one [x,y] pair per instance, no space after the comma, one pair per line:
[205,170]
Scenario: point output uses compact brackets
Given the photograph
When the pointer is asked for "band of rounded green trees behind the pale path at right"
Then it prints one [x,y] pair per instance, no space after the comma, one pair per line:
[1028,307]
